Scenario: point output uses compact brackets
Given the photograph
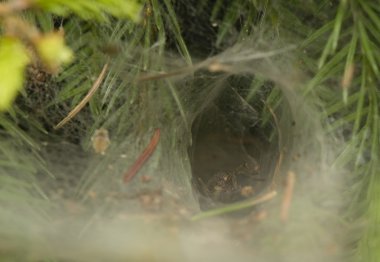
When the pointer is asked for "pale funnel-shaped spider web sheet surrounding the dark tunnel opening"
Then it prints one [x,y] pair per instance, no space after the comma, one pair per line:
[210,121]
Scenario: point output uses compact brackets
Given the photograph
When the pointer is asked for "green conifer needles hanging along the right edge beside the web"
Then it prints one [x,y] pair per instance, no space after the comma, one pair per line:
[350,60]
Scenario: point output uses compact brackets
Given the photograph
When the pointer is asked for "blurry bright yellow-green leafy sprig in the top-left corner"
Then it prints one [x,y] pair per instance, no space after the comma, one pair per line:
[50,47]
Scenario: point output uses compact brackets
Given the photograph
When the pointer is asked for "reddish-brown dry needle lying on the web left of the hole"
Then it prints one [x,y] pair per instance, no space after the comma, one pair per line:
[143,157]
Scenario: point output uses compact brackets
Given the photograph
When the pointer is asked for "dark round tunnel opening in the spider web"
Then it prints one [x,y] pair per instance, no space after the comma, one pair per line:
[231,156]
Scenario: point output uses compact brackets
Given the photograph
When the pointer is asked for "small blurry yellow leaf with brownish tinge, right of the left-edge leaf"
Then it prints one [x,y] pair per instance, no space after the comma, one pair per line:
[52,50]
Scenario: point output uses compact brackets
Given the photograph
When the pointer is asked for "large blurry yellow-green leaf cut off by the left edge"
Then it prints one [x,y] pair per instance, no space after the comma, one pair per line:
[13,60]
